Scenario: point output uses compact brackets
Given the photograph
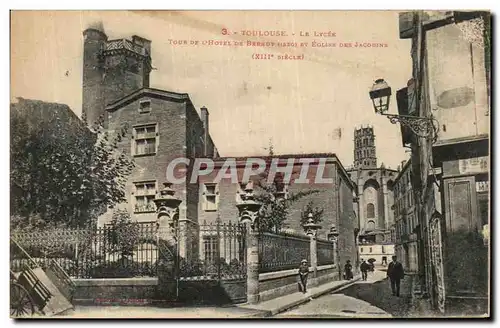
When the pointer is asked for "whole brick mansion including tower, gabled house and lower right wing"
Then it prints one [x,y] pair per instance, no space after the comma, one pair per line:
[165,125]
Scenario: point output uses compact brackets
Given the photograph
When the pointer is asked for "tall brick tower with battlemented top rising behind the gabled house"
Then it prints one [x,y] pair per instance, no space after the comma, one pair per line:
[112,69]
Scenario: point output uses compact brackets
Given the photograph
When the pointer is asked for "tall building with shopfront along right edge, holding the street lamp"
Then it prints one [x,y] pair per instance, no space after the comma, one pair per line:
[450,169]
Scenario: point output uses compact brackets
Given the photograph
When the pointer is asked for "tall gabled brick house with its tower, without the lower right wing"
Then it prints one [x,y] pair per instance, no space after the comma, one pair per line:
[162,125]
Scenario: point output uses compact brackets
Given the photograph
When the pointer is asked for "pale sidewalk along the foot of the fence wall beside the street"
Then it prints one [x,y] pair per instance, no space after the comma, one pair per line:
[281,304]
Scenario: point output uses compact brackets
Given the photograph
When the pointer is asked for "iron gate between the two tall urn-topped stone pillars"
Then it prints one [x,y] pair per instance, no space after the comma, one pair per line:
[207,263]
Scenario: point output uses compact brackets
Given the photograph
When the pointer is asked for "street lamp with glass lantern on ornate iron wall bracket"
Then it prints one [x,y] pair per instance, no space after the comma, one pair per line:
[380,94]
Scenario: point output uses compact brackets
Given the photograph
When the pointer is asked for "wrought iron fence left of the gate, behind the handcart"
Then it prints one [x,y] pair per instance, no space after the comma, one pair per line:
[126,251]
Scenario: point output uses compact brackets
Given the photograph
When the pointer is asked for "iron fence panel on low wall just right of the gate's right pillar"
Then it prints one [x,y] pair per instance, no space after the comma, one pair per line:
[282,251]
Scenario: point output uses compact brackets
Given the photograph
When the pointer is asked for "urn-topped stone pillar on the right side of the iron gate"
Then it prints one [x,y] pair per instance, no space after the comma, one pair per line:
[248,210]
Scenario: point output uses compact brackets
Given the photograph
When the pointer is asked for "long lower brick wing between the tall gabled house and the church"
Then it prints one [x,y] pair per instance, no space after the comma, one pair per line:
[335,198]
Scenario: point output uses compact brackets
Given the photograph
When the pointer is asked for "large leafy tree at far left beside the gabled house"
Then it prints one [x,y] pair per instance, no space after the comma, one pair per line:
[62,170]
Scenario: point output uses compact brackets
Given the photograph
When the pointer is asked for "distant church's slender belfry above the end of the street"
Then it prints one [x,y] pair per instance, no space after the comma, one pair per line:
[365,156]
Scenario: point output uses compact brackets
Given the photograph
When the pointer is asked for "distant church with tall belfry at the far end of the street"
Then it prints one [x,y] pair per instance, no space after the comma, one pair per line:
[375,194]
